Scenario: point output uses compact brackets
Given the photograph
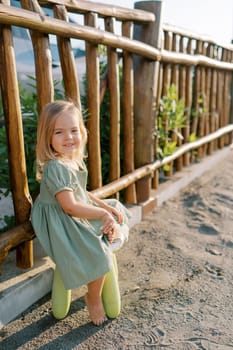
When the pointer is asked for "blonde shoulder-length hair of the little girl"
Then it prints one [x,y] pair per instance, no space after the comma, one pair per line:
[46,123]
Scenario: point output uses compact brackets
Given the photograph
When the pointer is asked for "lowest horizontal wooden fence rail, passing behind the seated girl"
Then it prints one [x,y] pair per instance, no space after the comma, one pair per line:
[24,232]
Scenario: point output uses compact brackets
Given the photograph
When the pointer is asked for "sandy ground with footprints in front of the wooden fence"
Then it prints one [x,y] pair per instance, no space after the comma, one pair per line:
[176,281]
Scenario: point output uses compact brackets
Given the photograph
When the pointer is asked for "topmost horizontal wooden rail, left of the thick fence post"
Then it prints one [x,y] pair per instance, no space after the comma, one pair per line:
[103,10]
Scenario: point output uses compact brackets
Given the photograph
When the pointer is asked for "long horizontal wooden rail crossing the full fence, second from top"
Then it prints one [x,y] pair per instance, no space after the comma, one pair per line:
[27,19]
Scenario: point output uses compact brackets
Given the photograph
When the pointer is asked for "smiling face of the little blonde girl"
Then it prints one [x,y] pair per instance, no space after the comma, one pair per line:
[66,137]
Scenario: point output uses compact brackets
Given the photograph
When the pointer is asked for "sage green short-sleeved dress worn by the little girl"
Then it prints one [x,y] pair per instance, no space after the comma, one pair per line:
[77,246]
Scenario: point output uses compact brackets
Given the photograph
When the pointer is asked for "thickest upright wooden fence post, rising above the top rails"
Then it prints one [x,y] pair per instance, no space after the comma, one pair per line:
[145,90]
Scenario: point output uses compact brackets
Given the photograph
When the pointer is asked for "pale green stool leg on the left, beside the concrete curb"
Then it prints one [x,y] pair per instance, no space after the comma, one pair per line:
[61,297]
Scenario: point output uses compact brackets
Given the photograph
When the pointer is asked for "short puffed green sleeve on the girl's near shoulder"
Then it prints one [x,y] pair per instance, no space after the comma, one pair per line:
[58,177]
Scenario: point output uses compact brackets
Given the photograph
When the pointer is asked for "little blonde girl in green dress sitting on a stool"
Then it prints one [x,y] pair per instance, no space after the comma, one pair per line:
[74,227]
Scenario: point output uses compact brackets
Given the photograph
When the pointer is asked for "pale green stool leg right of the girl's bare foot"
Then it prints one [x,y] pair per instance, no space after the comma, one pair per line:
[111,293]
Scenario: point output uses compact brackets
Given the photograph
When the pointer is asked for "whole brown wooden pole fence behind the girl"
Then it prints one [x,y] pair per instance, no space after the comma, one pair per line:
[151,56]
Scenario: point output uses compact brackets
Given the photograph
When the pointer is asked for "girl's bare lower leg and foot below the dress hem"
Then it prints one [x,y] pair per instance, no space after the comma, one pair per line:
[94,301]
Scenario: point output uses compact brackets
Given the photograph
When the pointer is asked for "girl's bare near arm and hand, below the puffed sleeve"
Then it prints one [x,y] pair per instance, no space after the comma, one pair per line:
[82,210]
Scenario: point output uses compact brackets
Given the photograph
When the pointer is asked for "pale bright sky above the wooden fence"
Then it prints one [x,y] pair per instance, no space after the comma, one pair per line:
[213,18]
